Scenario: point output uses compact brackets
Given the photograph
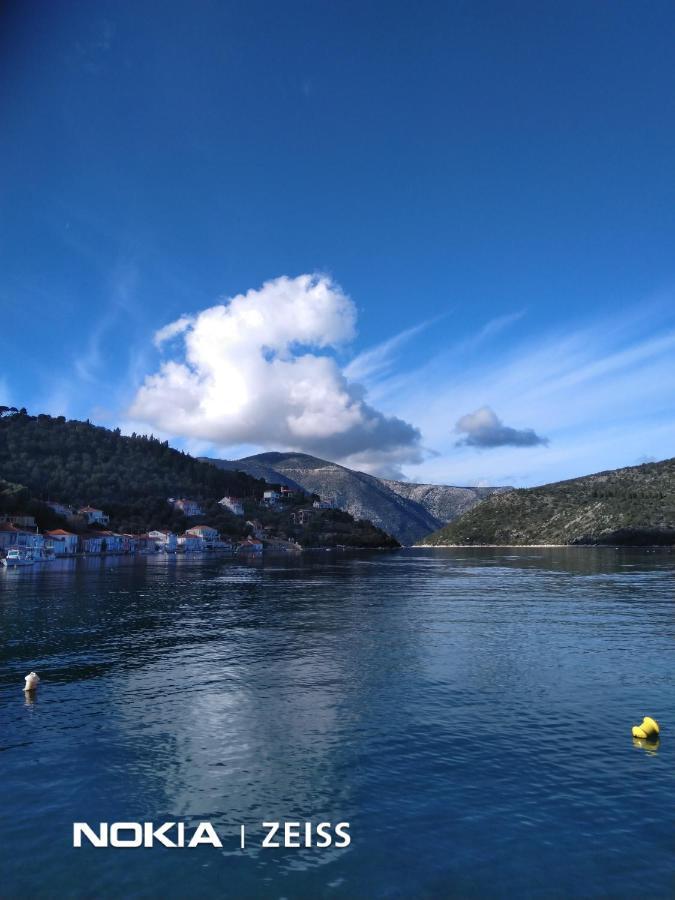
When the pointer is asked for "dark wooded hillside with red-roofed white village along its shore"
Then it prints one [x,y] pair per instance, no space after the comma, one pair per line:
[72,488]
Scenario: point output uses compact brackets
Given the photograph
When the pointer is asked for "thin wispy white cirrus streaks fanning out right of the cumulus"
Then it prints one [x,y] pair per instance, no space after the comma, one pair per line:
[599,392]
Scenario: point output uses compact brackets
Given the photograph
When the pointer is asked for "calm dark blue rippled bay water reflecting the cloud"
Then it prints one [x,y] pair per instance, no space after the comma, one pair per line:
[468,712]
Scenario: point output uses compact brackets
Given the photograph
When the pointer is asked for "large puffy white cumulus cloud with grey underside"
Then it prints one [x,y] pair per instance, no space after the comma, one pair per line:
[258,369]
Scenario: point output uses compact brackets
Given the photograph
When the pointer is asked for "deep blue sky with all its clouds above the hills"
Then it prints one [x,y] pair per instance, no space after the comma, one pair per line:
[480,195]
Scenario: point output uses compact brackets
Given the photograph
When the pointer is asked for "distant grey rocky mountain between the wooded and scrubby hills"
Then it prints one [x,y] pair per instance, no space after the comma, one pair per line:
[406,511]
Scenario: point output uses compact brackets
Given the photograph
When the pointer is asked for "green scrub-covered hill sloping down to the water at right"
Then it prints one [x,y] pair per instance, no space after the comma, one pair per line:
[635,505]
